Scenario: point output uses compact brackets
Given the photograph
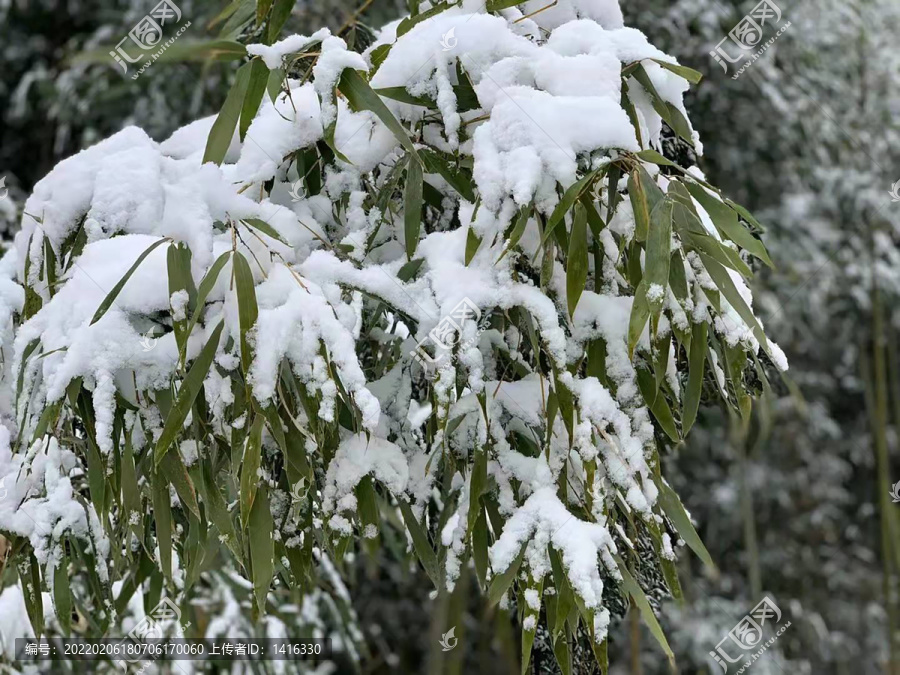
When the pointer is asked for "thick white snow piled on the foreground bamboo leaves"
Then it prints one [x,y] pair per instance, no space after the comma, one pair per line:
[549,103]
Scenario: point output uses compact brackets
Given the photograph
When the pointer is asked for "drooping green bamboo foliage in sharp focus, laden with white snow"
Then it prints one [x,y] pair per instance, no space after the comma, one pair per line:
[448,284]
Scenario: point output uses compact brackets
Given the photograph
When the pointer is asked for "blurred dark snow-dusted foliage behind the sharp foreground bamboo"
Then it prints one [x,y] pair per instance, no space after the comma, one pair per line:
[796,504]
